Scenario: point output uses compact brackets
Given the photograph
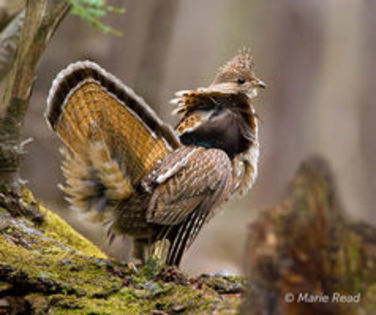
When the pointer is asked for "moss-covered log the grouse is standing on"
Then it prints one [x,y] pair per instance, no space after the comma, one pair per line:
[47,267]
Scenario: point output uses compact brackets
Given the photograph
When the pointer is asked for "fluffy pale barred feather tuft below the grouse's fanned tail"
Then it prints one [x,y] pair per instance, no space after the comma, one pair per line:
[93,184]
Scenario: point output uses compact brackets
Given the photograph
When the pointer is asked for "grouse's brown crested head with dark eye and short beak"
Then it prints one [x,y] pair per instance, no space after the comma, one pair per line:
[237,76]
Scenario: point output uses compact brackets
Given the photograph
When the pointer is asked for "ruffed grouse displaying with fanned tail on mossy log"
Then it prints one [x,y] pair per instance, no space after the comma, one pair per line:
[128,169]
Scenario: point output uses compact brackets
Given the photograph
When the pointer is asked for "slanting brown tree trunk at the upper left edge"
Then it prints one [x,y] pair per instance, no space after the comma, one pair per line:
[41,20]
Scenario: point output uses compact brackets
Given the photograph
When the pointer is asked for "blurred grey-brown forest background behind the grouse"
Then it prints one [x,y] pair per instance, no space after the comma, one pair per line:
[316,56]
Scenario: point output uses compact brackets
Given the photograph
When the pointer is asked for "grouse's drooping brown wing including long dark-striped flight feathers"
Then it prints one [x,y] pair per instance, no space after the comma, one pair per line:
[186,188]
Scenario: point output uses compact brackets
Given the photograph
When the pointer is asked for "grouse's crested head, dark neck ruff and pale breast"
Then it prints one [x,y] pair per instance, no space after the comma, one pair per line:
[223,116]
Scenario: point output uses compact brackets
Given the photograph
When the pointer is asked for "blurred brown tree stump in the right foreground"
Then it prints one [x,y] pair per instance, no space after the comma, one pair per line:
[305,256]
